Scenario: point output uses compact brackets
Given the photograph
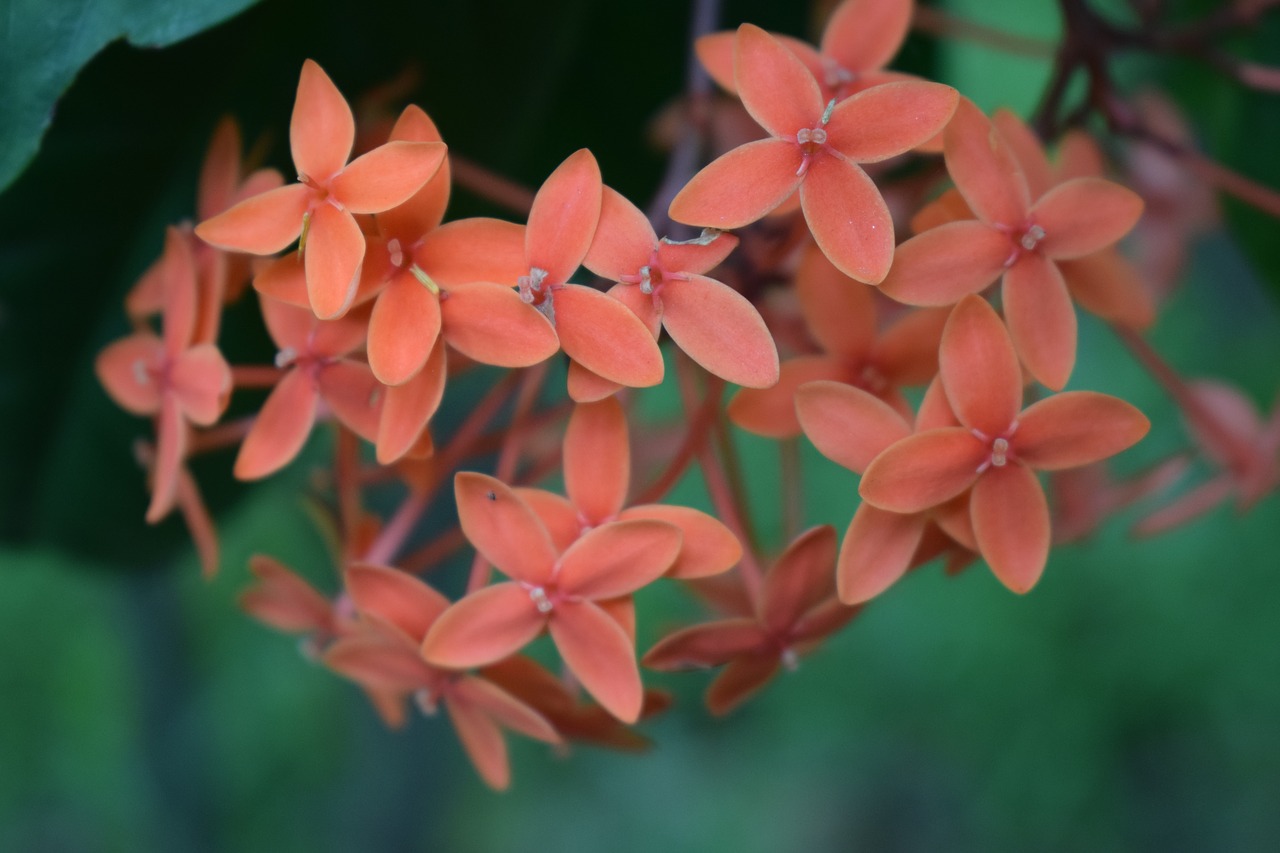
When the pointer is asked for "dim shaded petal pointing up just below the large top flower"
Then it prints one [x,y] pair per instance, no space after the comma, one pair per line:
[838,311]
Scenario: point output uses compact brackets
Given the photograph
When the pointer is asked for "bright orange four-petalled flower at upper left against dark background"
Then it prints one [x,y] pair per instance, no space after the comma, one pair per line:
[330,191]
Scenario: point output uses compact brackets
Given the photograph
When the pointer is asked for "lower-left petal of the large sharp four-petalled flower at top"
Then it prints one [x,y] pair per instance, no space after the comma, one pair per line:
[740,186]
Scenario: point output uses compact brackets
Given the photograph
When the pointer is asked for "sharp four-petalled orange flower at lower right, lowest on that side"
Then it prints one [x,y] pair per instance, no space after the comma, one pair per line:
[998,448]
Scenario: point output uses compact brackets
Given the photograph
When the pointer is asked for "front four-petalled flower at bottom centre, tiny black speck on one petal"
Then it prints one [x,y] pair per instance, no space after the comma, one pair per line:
[552,591]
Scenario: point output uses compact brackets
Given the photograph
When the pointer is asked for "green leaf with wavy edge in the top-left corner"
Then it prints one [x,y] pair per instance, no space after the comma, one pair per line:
[44,45]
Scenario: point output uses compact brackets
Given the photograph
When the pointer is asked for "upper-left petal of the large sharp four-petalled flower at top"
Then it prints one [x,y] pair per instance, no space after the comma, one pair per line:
[775,86]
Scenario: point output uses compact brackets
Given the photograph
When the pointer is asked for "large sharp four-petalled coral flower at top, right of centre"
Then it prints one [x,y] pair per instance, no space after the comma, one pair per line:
[815,148]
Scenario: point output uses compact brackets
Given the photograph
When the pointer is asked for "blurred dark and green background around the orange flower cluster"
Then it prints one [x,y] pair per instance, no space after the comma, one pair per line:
[1130,703]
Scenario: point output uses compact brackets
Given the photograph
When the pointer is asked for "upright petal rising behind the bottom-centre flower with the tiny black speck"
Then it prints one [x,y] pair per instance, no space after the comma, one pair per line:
[597,460]
